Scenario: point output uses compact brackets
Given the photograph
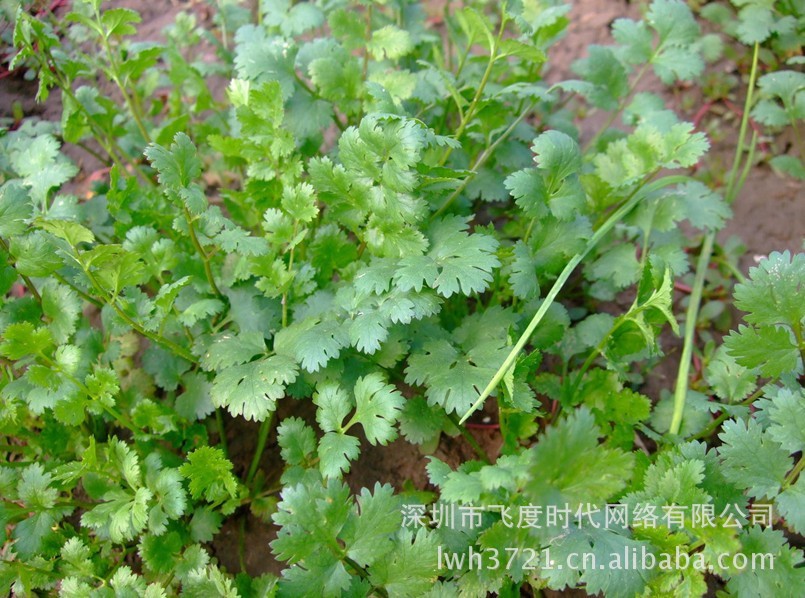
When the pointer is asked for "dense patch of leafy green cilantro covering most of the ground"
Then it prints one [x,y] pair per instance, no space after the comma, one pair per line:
[385,221]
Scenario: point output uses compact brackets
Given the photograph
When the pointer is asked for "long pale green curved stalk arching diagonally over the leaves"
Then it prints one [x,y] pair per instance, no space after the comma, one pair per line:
[607,226]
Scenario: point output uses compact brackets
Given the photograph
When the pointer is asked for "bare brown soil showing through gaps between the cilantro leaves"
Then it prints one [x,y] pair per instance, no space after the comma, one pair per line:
[769,215]
